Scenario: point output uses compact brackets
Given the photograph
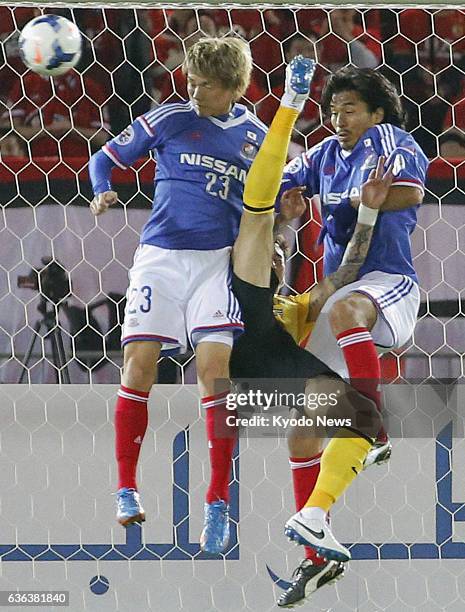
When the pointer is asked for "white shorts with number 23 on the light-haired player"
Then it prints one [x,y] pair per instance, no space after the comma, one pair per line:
[176,297]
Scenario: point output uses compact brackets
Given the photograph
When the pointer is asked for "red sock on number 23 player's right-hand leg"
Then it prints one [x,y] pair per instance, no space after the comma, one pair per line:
[221,442]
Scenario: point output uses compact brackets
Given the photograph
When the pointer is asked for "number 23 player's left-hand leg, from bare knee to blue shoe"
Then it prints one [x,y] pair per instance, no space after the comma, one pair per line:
[131,418]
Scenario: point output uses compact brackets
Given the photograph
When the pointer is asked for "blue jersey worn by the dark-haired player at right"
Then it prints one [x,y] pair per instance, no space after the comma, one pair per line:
[326,170]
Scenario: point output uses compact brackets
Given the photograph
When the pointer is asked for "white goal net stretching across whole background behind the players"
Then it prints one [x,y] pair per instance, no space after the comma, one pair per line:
[63,275]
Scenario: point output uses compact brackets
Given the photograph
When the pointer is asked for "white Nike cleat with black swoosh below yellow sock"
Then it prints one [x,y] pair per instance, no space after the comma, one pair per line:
[304,529]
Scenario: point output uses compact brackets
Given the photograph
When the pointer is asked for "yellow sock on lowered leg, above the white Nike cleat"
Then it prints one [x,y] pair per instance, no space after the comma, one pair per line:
[341,461]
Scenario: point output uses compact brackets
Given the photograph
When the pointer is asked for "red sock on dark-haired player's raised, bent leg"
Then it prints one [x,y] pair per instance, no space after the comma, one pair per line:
[363,364]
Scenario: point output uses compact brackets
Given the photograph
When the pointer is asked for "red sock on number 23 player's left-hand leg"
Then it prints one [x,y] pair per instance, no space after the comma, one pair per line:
[131,420]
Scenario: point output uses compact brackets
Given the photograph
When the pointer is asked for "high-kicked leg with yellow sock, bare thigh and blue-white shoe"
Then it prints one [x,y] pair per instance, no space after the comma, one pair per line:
[254,245]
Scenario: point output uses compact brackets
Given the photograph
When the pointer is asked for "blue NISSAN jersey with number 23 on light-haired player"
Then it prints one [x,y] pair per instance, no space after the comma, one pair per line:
[202,163]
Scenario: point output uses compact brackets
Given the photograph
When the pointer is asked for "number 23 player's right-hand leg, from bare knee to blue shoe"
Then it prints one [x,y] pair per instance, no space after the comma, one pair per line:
[212,360]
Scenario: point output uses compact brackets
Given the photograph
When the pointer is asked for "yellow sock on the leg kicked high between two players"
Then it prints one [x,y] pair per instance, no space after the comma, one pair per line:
[264,177]
